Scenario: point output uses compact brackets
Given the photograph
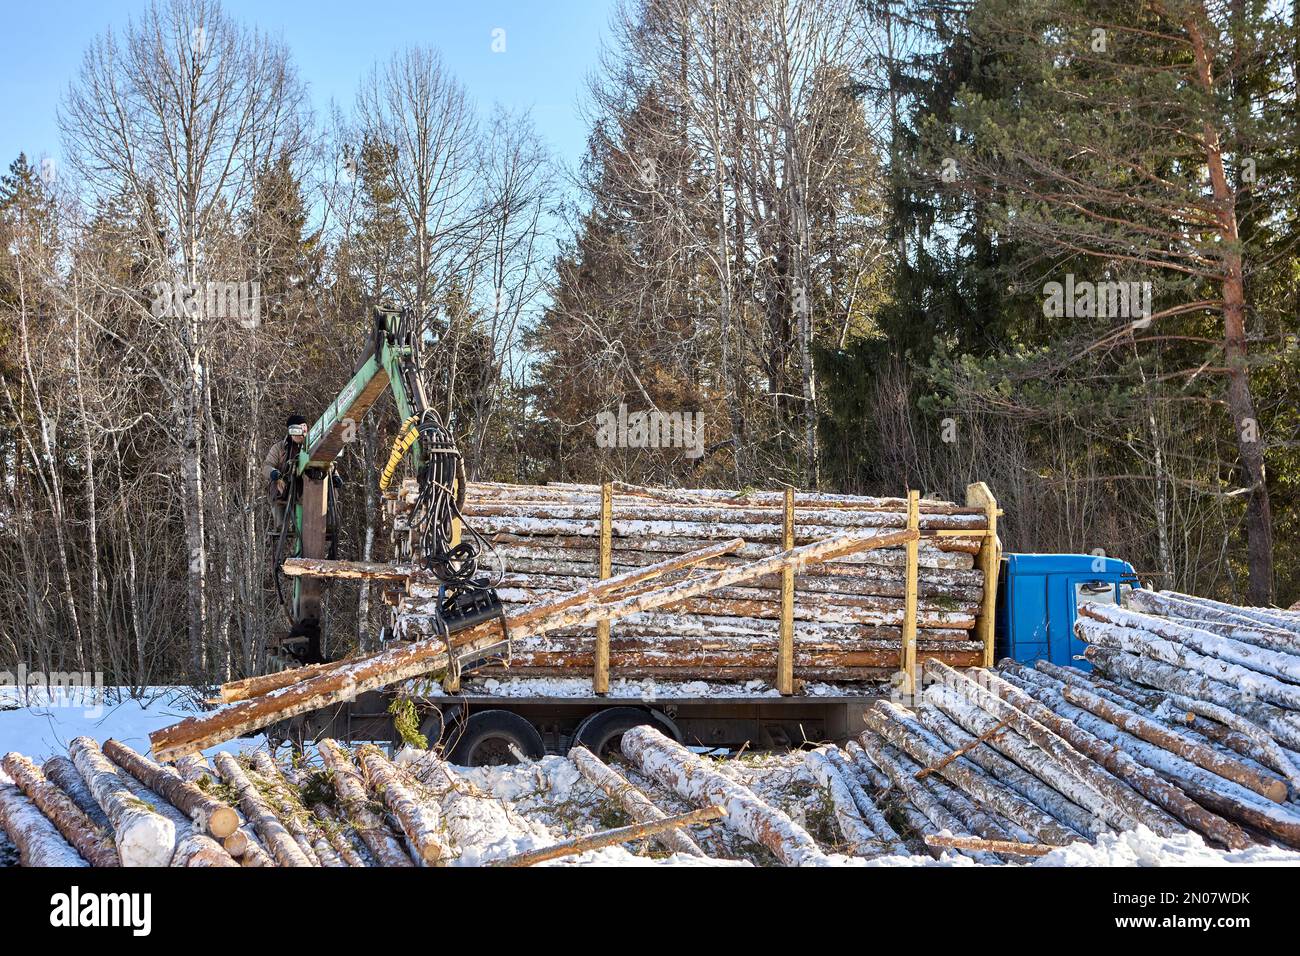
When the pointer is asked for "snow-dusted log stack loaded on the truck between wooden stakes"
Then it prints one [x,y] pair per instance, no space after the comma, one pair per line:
[863,617]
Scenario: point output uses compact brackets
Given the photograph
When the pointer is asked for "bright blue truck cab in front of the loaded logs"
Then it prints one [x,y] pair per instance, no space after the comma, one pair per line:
[1038,599]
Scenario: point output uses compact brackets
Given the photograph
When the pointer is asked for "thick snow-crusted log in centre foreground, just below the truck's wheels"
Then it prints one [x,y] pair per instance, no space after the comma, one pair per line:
[695,780]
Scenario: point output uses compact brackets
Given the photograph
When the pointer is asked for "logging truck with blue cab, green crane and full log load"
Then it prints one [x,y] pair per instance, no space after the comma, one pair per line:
[792,612]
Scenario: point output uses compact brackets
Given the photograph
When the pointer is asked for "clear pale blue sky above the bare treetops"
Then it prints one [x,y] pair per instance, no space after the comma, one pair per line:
[551,49]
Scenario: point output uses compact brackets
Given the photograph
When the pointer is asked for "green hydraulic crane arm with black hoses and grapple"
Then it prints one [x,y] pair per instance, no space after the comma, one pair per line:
[393,364]
